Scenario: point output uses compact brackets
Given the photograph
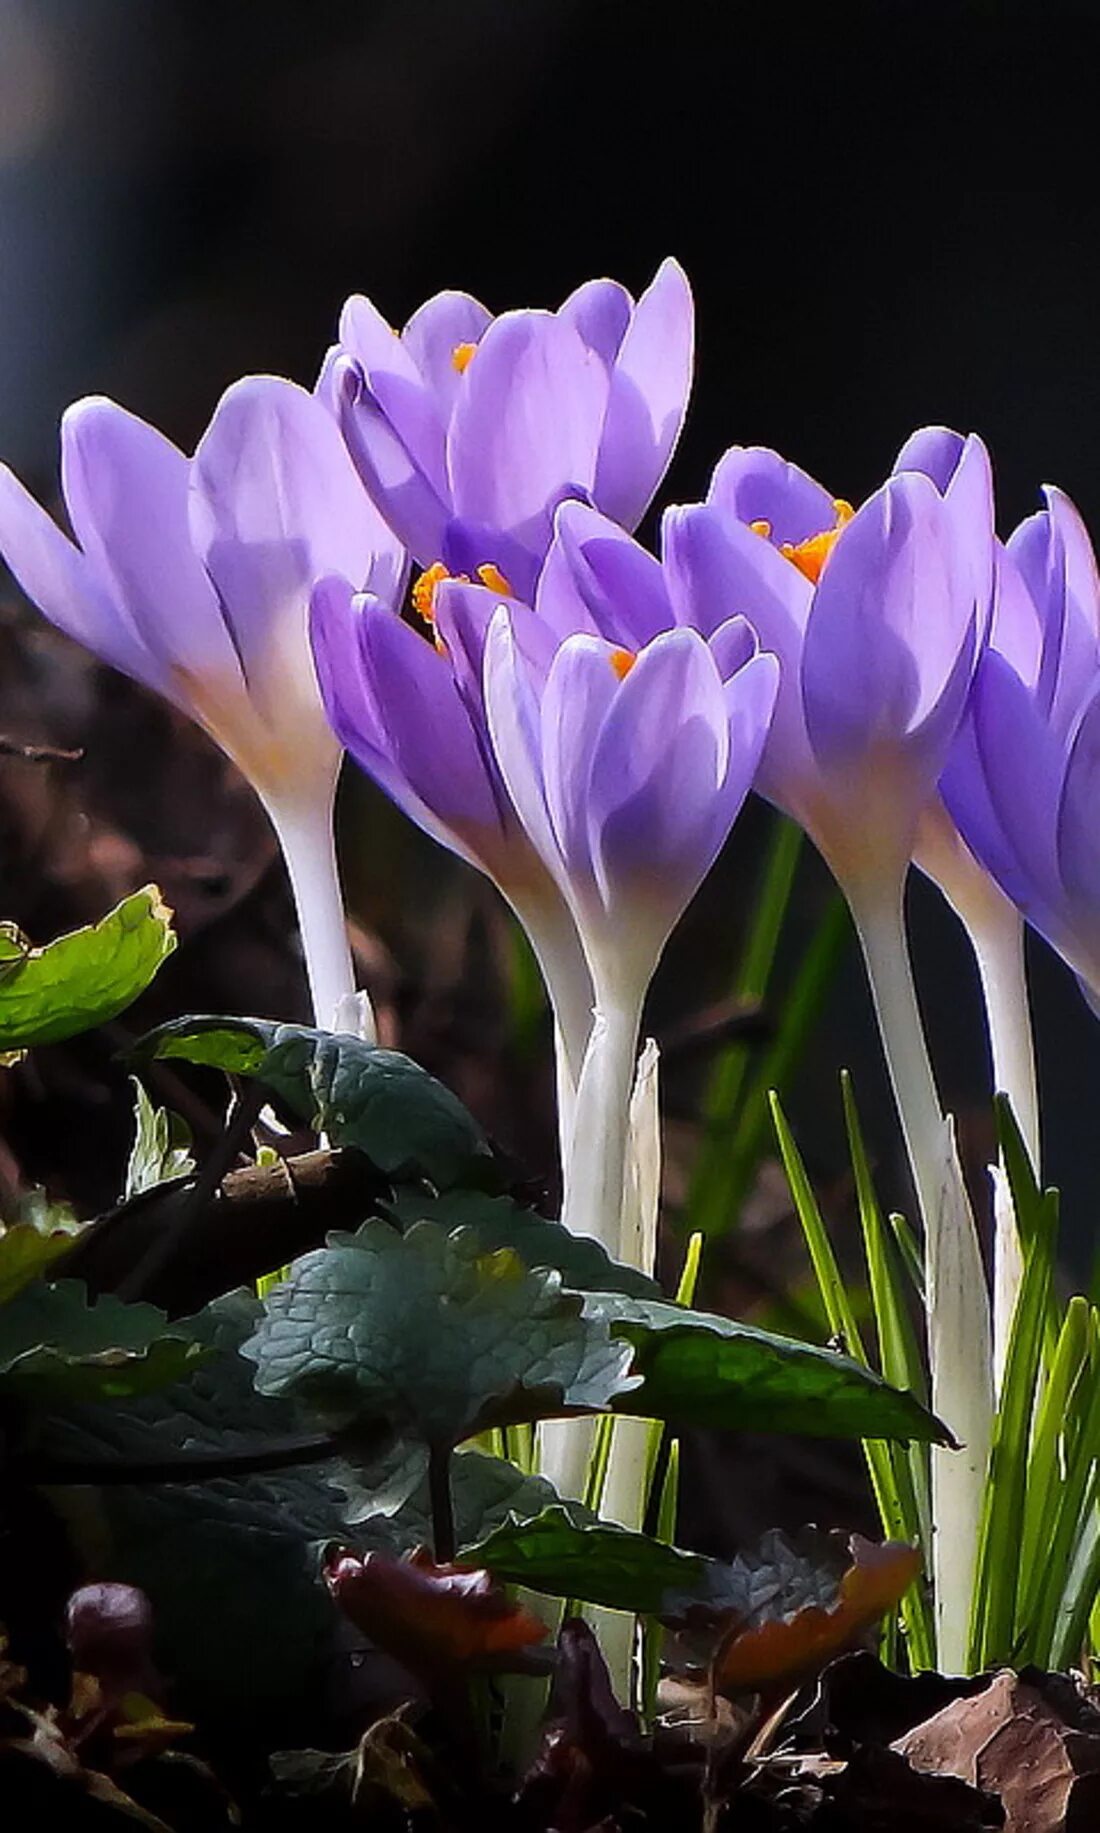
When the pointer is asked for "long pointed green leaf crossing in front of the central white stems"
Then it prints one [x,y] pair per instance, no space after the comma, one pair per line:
[703,1370]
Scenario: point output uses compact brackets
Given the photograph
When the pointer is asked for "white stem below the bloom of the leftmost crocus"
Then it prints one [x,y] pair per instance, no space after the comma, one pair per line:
[309,850]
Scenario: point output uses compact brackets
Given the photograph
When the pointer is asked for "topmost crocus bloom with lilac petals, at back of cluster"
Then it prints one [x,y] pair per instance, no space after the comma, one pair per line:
[470,430]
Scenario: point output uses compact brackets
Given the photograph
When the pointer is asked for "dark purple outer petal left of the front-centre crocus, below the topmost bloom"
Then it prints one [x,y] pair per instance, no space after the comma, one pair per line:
[384,690]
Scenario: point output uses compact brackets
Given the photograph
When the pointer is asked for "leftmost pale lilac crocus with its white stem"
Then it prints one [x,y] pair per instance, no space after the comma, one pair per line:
[193,576]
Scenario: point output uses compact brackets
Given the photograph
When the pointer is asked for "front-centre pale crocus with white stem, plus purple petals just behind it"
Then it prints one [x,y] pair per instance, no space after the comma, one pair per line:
[628,767]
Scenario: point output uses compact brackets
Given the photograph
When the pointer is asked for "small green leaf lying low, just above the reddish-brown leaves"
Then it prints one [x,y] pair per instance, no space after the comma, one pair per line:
[593,1561]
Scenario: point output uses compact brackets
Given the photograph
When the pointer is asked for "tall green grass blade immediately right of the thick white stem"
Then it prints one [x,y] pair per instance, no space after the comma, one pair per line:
[993,1621]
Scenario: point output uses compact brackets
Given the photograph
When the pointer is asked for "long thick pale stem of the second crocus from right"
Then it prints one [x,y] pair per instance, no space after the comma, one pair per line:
[956,1290]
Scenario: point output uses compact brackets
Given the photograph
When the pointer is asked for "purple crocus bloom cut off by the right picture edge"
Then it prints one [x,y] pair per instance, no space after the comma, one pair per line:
[1022,780]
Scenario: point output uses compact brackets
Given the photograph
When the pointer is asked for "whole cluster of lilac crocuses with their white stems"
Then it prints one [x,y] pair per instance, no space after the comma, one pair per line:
[582,719]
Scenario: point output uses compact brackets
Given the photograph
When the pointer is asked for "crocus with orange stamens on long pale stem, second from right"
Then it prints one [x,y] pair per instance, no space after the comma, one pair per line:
[879,617]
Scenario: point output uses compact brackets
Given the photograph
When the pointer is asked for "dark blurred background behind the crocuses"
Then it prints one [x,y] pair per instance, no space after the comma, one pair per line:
[890,215]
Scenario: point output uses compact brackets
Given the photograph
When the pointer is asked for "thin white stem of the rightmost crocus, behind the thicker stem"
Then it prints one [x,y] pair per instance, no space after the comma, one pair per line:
[996,936]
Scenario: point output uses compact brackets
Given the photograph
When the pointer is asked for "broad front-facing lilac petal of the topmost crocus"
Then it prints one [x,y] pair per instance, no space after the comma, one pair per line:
[527,426]
